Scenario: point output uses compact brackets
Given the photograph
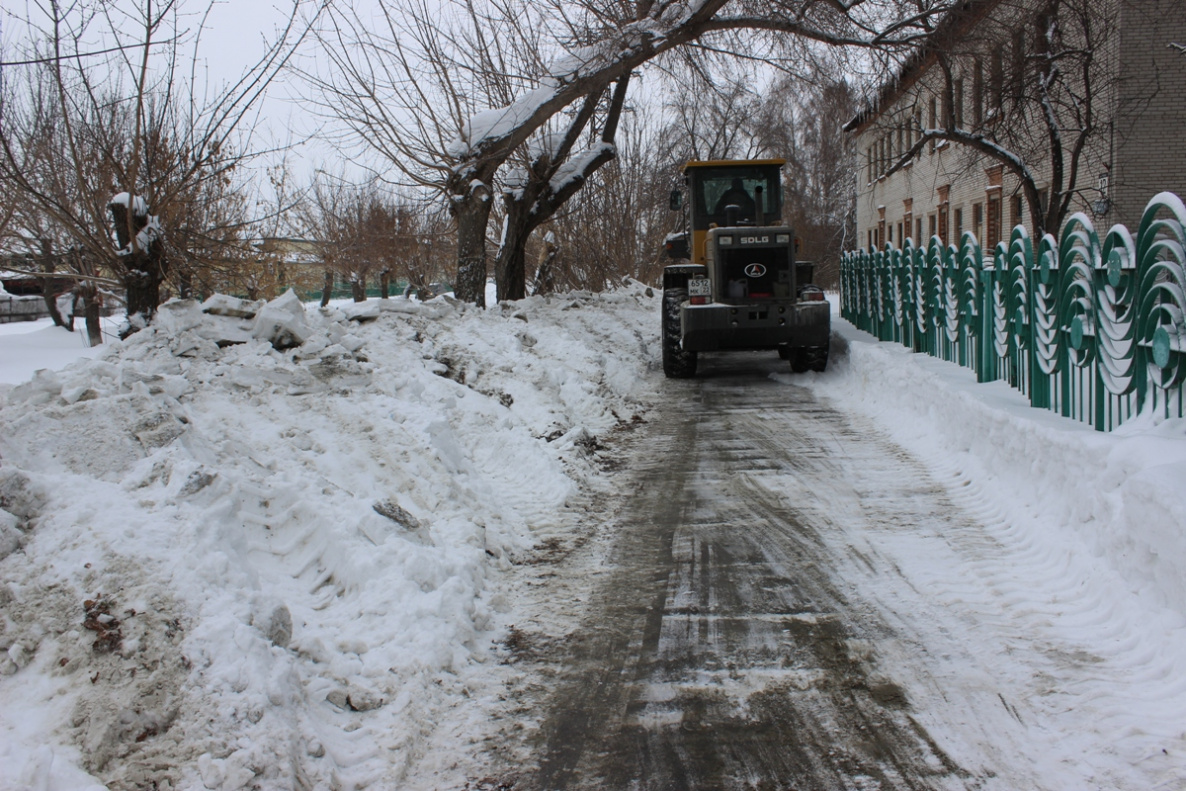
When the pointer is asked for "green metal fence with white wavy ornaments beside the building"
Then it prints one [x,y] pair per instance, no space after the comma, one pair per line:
[1093,330]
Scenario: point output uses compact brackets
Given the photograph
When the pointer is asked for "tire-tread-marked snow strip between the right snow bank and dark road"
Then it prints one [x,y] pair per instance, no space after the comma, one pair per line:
[1096,655]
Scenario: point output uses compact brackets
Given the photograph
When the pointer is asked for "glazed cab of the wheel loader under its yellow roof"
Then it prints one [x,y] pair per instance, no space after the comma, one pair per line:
[730,194]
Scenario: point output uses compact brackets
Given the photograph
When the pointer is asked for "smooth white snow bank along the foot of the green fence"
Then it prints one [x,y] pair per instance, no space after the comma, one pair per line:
[1119,495]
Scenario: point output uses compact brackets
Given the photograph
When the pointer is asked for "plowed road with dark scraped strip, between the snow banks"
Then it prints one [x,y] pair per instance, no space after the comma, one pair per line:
[794,602]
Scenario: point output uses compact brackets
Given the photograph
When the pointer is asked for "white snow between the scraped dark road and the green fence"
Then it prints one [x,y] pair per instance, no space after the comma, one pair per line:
[1063,602]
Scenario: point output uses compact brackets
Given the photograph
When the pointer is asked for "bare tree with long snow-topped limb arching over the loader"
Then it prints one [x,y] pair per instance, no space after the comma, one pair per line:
[406,93]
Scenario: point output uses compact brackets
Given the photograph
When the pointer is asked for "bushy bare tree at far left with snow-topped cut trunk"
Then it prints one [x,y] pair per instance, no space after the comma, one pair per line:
[127,142]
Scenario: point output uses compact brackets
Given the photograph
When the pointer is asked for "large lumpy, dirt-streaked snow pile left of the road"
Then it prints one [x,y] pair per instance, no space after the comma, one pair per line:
[258,541]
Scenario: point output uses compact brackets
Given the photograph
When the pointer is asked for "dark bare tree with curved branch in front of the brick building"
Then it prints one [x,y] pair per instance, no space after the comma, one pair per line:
[1031,93]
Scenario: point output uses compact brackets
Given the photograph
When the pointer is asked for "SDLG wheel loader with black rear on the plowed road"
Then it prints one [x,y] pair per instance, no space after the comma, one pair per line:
[737,285]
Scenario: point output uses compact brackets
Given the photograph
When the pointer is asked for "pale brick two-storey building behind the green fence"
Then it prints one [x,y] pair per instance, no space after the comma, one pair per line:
[938,144]
